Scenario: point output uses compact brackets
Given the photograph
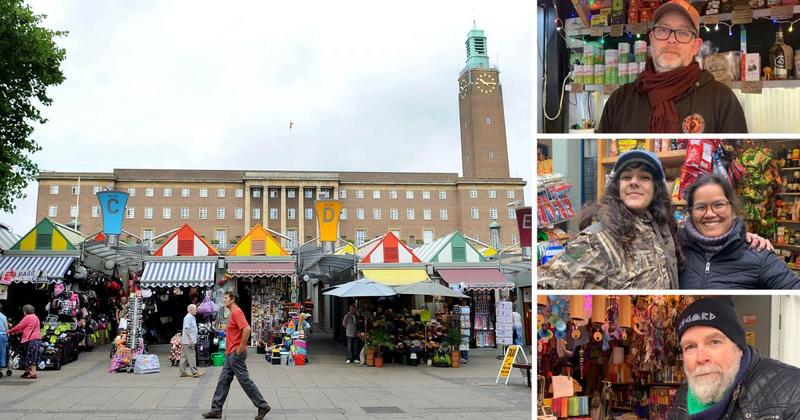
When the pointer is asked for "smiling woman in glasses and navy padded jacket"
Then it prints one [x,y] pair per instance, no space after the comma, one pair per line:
[714,244]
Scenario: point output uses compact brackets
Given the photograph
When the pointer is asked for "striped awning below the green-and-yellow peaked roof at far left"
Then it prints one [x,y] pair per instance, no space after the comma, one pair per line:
[33,269]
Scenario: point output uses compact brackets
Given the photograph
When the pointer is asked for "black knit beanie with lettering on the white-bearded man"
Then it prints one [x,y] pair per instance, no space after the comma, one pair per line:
[714,312]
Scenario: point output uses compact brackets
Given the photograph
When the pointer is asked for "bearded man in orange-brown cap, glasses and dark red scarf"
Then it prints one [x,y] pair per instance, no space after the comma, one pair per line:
[673,94]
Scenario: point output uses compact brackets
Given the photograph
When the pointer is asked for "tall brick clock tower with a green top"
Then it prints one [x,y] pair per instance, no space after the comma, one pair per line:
[484,152]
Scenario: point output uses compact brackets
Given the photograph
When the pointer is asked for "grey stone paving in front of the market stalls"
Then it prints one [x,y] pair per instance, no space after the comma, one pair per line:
[326,388]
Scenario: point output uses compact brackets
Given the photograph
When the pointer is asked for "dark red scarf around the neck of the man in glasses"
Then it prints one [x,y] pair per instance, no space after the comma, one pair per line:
[662,89]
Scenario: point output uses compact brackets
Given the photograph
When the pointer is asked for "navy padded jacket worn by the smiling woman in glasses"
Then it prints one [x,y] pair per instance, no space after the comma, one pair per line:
[734,267]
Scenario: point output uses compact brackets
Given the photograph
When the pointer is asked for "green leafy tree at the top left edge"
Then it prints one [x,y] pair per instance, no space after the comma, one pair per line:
[30,62]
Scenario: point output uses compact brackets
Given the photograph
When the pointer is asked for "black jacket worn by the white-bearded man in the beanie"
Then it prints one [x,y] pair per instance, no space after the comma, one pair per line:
[769,390]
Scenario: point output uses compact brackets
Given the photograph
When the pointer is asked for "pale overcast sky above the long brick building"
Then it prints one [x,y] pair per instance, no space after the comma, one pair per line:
[370,86]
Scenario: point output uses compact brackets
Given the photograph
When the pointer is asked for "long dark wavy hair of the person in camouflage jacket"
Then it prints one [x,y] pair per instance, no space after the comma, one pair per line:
[620,220]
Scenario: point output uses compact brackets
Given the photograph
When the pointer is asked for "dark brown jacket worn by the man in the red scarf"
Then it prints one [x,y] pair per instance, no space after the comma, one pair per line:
[628,111]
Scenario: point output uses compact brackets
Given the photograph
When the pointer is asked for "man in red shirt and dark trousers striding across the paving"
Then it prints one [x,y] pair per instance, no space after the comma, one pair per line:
[236,337]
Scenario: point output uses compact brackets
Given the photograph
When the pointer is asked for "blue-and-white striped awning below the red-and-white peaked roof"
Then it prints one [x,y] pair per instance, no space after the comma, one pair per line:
[178,273]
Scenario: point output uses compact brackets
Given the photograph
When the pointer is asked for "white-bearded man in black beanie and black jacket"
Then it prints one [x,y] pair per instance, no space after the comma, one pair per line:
[726,378]
